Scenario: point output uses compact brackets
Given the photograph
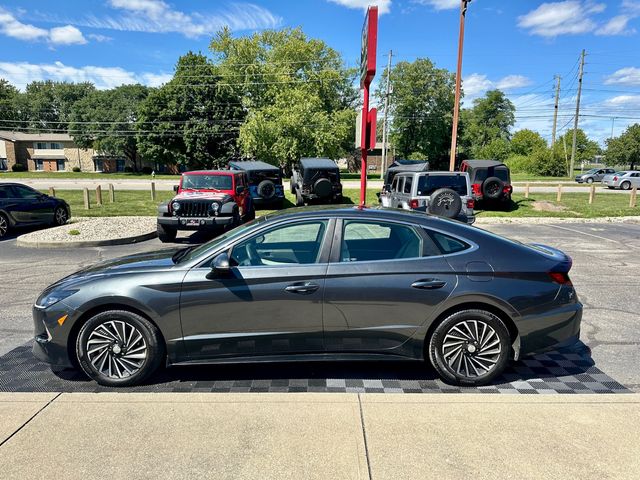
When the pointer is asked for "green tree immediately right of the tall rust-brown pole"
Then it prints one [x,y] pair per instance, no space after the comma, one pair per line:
[491,118]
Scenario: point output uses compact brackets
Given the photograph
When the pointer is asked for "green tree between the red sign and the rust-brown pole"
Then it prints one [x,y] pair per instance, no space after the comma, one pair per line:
[421,109]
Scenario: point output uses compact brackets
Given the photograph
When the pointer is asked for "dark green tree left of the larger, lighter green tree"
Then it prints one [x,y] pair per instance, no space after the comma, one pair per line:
[192,120]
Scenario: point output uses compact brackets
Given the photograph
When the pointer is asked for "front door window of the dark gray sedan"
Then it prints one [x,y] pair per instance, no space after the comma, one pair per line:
[299,243]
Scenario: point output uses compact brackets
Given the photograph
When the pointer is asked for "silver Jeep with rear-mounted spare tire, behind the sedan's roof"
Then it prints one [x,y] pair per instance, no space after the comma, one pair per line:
[446,194]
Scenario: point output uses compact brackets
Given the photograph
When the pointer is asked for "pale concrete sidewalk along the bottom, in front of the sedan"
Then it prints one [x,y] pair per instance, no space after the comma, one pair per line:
[335,436]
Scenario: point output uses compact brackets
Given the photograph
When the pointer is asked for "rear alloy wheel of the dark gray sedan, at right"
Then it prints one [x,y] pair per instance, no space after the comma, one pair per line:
[471,348]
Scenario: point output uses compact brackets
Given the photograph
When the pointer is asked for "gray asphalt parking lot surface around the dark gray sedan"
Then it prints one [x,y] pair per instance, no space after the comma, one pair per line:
[605,273]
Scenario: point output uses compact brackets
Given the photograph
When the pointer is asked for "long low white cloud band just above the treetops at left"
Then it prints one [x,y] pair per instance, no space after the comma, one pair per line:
[21,73]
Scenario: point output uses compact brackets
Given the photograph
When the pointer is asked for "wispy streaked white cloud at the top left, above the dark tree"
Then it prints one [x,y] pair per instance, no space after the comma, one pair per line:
[157,16]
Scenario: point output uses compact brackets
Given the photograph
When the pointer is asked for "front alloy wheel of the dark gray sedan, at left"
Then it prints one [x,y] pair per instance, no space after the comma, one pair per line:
[116,349]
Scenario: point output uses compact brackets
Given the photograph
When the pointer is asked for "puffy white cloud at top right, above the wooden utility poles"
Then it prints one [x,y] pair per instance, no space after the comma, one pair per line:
[570,17]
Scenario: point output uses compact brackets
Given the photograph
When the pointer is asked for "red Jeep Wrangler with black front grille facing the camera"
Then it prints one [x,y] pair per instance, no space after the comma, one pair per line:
[206,200]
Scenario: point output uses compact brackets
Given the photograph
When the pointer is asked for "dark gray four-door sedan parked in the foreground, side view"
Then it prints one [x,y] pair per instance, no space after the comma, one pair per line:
[315,284]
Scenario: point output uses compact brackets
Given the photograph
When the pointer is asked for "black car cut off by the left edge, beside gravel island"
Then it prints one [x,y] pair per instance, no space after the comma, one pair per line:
[22,206]
